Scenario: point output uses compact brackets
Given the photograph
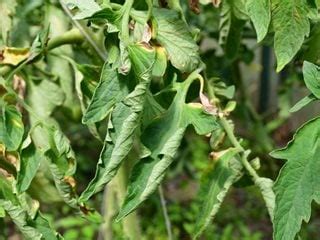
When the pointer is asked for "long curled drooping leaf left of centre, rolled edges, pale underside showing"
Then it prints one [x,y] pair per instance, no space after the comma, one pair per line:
[124,119]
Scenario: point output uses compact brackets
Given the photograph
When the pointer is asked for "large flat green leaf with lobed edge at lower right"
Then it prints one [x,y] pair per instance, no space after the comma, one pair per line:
[298,182]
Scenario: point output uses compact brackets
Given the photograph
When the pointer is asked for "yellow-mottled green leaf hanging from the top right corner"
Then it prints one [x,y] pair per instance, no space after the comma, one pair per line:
[291,25]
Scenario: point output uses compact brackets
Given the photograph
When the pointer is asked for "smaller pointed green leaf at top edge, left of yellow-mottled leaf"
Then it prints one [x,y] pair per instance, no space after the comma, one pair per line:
[260,14]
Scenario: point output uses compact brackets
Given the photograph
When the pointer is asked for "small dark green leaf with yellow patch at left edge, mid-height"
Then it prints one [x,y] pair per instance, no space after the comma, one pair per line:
[11,128]
